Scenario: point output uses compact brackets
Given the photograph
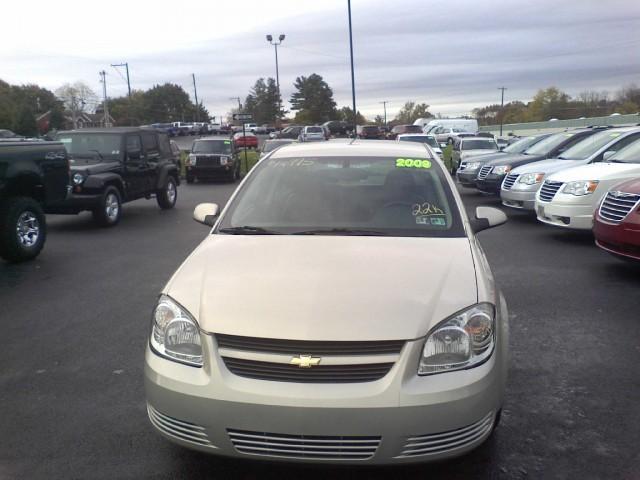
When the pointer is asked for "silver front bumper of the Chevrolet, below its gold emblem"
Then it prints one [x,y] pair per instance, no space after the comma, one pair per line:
[401,418]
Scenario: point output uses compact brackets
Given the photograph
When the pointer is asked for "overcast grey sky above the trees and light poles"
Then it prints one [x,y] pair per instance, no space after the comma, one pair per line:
[451,54]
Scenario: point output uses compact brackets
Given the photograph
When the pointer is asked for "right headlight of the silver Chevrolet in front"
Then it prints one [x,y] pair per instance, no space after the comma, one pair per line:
[462,341]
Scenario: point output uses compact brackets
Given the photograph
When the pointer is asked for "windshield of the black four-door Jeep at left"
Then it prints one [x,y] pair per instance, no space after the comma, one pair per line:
[92,146]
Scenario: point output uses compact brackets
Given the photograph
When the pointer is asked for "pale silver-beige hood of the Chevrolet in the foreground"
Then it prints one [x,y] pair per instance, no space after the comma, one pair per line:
[325,287]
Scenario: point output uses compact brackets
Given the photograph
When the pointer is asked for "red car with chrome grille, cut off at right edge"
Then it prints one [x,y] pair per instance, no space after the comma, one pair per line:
[616,223]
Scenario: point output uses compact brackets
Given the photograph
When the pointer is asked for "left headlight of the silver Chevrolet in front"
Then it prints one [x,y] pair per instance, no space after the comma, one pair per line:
[175,334]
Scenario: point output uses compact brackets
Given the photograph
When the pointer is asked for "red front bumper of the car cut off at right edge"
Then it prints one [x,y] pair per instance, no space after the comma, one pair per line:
[622,239]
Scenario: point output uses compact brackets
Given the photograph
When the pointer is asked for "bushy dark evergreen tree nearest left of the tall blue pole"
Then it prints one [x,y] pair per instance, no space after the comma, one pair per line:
[313,100]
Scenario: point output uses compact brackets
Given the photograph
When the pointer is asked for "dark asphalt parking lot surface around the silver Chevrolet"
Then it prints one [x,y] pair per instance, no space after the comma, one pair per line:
[75,323]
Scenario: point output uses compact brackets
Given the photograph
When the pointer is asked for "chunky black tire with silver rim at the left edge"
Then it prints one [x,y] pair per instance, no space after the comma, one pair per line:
[23,229]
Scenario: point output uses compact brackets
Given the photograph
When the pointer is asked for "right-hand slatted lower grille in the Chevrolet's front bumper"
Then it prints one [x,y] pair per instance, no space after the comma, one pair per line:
[449,440]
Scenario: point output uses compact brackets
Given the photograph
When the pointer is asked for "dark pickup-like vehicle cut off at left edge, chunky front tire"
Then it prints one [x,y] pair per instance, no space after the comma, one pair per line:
[33,175]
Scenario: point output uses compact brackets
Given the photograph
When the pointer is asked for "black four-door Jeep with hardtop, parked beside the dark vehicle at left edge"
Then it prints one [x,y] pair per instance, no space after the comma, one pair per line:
[110,166]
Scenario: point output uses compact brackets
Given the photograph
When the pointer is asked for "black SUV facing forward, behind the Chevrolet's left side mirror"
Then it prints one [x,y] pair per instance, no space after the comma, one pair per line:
[213,158]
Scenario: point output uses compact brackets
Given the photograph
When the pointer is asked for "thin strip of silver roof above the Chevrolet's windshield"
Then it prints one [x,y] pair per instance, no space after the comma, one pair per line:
[355,148]
